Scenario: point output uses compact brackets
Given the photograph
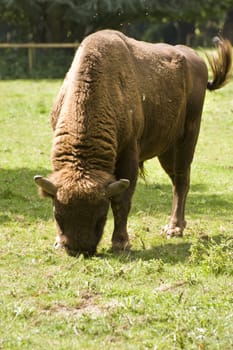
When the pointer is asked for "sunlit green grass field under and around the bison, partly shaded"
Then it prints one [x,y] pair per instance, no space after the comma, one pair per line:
[164,294]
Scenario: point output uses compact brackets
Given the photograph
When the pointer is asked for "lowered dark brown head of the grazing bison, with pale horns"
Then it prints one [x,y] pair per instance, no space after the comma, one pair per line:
[79,219]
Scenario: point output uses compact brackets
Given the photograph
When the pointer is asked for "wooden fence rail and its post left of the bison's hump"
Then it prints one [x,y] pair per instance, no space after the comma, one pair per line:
[33,46]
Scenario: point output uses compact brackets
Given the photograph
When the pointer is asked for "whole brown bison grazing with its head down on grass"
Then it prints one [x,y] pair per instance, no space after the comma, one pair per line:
[122,102]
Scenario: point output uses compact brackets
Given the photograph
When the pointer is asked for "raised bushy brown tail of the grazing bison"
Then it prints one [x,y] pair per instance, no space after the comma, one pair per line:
[220,64]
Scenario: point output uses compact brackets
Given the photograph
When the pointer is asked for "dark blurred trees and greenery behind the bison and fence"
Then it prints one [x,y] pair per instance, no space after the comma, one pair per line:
[191,22]
